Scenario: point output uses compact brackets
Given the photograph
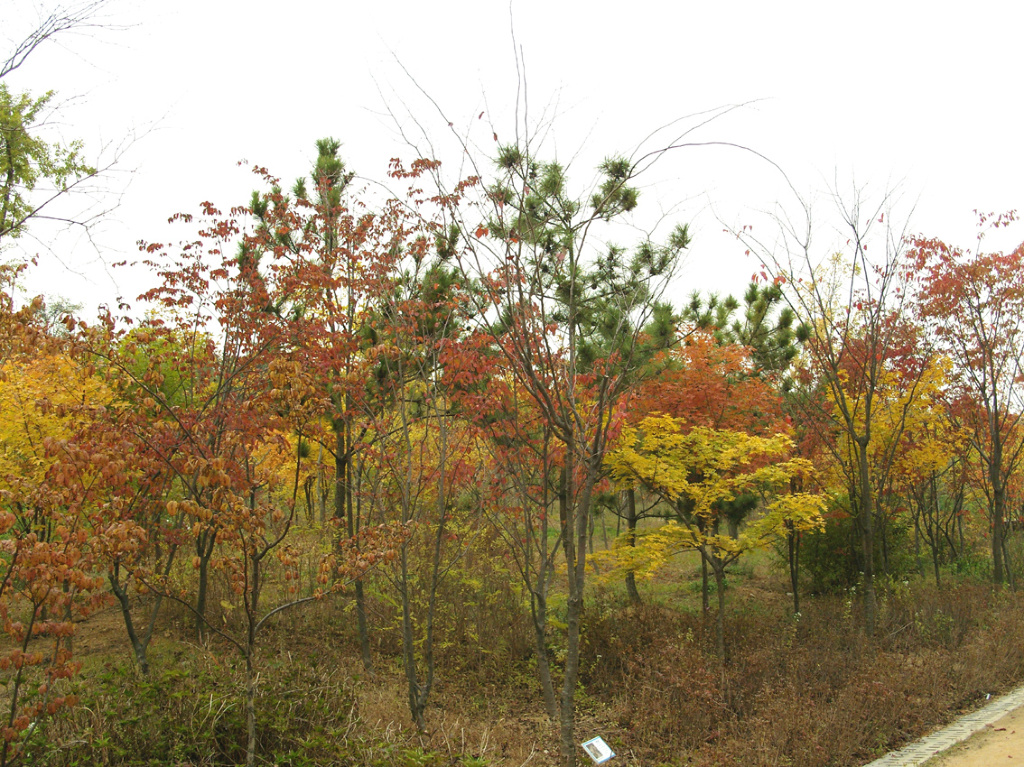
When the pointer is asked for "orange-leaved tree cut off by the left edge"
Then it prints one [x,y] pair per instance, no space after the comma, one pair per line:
[48,572]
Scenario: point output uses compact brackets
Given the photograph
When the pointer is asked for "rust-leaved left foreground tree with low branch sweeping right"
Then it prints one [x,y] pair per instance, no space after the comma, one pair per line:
[195,376]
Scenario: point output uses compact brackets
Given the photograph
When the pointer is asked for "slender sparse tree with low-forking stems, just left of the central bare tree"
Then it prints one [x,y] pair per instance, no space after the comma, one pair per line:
[426,465]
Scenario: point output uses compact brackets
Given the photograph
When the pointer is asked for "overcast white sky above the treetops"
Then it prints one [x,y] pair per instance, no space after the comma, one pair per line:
[924,95]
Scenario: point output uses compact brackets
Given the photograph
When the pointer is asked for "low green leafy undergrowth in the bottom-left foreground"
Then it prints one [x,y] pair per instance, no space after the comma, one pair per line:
[191,712]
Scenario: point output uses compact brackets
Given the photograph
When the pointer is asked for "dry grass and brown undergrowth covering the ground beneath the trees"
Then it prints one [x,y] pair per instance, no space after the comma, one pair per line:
[798,692]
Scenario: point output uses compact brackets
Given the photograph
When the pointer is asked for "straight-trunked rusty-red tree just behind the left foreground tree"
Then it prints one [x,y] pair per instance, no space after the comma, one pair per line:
[205,429]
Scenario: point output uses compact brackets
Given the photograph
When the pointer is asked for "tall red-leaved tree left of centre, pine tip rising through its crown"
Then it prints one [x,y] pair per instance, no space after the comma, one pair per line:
[327,261]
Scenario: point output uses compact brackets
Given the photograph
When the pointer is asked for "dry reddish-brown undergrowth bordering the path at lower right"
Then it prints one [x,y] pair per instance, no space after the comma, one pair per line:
[802,691]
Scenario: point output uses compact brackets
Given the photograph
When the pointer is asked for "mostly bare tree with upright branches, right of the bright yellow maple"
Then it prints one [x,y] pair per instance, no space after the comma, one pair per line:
[852,305]
